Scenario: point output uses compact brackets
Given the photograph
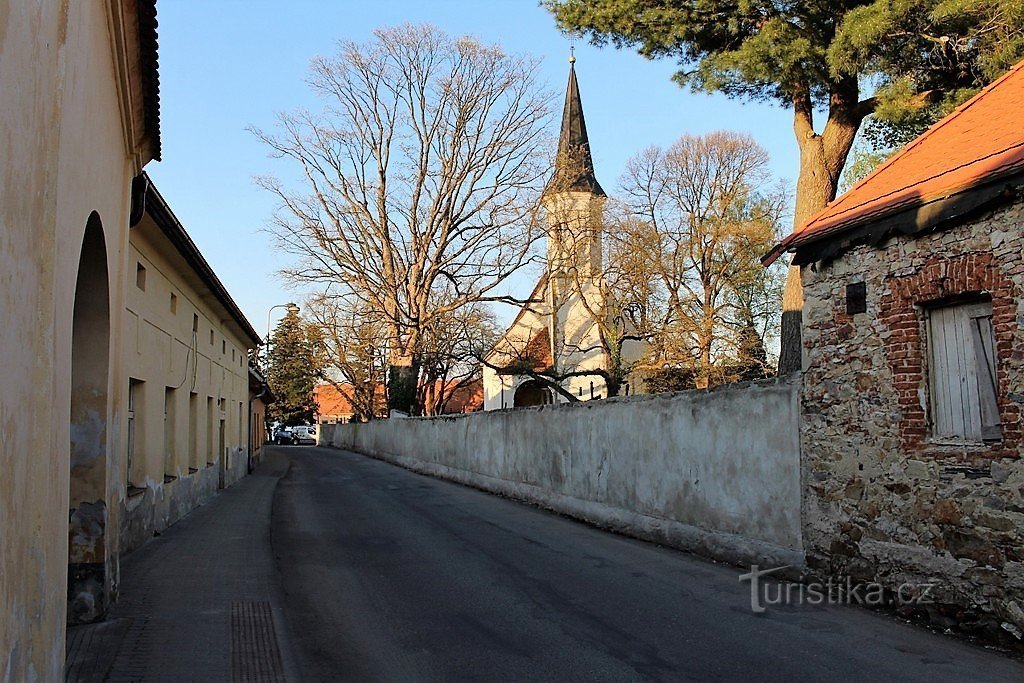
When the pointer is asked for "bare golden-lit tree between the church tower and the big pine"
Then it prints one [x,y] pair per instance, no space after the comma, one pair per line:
[709,219]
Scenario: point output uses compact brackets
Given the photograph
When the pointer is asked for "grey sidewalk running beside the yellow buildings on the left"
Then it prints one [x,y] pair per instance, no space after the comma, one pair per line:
[201,603]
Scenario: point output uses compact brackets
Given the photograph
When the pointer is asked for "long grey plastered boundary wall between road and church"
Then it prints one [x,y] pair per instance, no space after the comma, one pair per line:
[715,473]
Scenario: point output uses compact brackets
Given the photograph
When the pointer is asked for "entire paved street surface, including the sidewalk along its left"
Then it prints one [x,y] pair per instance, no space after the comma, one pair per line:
[327,566]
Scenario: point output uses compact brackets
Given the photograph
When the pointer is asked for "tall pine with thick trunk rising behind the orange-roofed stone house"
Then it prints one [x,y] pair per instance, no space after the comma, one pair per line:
[922,58]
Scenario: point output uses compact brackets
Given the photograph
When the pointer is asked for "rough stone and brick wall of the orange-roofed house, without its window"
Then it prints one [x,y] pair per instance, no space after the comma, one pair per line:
[882,499]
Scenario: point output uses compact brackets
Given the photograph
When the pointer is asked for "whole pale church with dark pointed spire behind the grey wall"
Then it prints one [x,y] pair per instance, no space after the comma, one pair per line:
[554,350]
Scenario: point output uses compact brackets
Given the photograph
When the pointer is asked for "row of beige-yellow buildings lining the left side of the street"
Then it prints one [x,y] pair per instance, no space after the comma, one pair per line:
[90,360]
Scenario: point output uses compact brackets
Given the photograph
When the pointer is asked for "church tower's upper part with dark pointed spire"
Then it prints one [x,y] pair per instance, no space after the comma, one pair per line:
[574,200]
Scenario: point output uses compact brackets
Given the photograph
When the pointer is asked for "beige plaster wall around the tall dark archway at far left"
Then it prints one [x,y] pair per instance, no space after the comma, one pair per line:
[65,157]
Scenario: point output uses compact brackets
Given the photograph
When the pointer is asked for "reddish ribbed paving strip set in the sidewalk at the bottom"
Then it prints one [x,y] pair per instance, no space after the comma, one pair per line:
[255,656]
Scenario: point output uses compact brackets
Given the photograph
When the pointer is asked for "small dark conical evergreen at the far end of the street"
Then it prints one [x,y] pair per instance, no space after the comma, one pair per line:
[292,372]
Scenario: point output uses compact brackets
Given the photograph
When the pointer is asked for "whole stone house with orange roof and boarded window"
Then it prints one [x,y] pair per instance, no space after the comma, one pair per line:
[914,367]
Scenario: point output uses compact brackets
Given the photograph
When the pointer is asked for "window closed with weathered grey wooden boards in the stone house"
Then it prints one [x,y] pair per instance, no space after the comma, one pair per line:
[963,370]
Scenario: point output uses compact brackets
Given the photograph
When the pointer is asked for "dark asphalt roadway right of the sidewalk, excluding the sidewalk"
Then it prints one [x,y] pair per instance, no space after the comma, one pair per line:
[393,576]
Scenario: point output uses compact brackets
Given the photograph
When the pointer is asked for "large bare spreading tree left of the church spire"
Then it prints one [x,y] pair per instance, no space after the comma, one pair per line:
[423,170]
